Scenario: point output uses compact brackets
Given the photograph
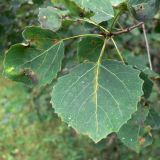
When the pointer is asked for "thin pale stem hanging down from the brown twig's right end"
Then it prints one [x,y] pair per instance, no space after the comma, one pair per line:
[147,46]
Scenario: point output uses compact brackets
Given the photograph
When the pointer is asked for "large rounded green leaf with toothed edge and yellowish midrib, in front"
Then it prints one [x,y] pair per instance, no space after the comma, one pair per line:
[97,99]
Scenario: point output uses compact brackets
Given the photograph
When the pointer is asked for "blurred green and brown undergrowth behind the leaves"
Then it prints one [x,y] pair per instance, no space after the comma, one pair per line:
[29,129]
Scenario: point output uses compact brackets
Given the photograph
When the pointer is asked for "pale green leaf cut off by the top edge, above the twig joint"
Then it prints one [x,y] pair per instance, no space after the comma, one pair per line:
[102,9]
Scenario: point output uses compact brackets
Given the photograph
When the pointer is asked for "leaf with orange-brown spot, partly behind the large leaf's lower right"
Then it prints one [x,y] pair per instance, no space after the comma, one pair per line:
[133,134]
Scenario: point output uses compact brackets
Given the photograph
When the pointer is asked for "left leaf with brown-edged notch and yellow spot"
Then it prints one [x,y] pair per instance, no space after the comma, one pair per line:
[35,63]
